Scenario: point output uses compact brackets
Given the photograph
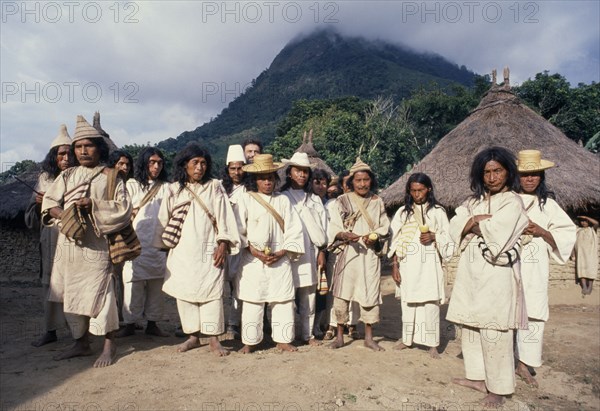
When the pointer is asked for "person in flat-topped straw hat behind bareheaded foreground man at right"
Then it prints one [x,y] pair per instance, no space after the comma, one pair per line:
[550,232]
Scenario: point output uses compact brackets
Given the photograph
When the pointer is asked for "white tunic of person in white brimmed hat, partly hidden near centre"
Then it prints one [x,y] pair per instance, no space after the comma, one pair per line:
[305,268]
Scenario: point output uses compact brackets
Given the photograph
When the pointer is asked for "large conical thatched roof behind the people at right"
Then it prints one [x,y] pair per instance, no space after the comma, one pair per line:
[501,119]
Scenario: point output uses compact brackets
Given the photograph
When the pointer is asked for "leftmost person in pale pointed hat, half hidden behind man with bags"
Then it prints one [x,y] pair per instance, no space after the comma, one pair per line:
[58,159]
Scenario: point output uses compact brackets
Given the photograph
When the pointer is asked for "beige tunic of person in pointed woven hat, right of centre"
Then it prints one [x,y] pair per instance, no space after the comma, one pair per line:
[358,264]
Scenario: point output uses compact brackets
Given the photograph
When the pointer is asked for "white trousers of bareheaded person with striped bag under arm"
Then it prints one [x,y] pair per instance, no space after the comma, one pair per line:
[206,318]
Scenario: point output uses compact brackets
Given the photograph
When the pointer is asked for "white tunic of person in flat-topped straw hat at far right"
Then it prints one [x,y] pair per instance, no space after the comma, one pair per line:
[535,257]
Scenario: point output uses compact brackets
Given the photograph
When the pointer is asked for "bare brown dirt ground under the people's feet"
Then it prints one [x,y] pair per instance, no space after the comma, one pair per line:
[150,374]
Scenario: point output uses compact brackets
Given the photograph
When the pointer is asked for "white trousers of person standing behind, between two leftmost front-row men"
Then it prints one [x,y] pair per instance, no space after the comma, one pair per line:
[143,299]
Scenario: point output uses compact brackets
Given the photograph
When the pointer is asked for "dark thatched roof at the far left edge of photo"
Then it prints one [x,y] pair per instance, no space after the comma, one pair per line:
[14,196]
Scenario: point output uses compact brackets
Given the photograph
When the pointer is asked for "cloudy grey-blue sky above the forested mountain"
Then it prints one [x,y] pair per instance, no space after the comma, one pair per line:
[157,68]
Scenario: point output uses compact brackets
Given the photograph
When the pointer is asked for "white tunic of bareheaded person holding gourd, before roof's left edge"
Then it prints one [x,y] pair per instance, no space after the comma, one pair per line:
[421,269]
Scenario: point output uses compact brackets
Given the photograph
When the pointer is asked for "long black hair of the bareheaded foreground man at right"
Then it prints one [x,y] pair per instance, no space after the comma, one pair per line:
[506,160]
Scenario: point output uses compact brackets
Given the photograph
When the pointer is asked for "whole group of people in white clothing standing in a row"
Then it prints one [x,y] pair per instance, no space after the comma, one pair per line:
[271,246]
